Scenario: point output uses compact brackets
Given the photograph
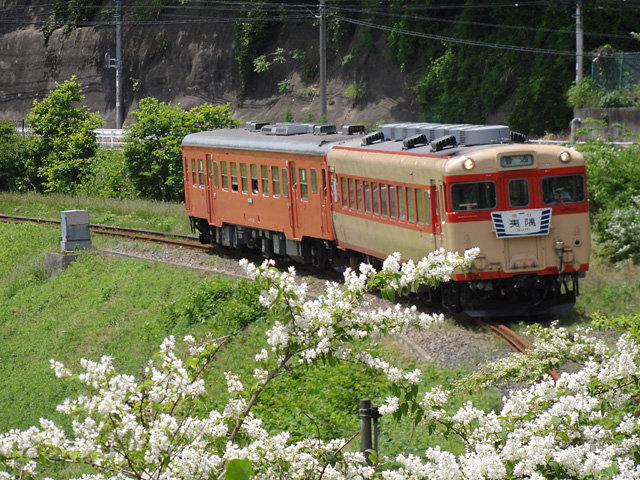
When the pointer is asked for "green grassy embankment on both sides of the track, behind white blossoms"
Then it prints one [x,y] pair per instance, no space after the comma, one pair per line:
[124,308]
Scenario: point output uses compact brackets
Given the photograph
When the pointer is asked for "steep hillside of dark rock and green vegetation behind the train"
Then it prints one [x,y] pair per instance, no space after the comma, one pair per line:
[464,61]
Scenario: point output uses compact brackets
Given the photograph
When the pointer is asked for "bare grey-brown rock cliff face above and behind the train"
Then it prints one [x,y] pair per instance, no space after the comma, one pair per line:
[193,64]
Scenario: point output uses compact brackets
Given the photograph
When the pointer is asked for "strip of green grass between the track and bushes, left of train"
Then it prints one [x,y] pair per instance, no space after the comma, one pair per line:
[133,213]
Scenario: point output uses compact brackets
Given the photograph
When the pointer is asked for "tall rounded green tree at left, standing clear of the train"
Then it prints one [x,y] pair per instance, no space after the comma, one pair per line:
[66,139]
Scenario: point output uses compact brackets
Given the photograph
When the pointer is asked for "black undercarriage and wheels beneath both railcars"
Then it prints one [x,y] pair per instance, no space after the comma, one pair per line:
[521,295]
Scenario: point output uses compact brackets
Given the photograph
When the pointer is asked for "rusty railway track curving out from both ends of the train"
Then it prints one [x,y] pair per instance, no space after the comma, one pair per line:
[514,341]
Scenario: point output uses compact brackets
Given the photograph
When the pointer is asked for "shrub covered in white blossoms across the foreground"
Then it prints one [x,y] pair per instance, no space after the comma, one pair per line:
[161,427]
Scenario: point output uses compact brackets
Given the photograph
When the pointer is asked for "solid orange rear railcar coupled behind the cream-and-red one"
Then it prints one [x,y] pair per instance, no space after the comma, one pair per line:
[263,191]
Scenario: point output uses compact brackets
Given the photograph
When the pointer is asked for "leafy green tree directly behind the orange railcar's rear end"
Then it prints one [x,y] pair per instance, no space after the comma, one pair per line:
[152,144]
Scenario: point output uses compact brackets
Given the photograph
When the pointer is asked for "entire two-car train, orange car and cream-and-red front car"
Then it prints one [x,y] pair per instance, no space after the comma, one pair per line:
[335,197]
